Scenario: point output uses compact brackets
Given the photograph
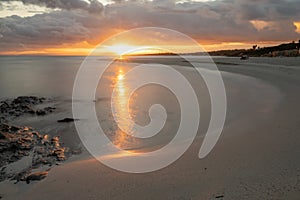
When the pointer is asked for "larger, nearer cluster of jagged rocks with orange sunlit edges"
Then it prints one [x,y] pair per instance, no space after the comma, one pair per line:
[18,142]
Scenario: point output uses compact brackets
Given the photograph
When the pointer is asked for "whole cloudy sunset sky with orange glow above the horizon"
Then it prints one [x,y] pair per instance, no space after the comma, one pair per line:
[74,27]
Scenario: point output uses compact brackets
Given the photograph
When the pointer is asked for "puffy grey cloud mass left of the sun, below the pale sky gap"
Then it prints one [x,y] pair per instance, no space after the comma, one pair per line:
[43,30]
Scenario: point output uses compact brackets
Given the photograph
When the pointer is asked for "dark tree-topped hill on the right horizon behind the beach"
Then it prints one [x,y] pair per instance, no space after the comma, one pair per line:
[289,50]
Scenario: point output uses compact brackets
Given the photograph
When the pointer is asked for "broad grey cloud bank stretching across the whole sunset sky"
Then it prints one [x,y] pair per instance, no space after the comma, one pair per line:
[216,21]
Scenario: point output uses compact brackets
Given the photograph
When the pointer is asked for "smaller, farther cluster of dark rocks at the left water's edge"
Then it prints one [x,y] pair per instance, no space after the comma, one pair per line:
[23,105]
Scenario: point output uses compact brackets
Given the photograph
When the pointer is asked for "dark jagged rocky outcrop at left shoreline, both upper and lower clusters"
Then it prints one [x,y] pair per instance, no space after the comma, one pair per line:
[18,143]
